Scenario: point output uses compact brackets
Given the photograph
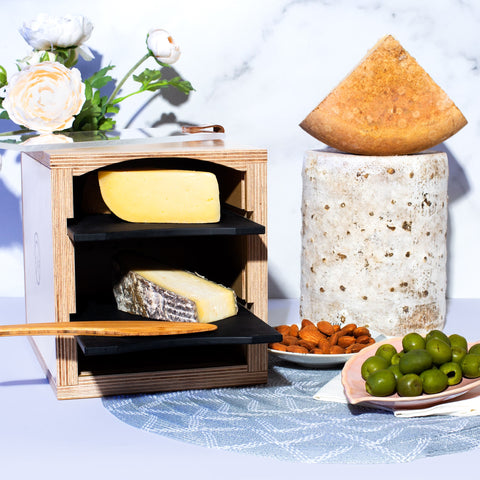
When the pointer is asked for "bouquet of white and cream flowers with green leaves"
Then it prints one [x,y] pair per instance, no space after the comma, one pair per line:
[47,93]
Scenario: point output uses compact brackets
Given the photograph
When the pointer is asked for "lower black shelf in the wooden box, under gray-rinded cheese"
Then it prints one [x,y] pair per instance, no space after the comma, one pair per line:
[242,329]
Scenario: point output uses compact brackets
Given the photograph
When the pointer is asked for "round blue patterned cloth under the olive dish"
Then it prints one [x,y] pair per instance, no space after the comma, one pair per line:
[282,420]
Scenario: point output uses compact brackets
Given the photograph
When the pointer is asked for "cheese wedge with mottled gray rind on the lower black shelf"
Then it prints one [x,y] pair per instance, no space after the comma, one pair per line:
[173,295]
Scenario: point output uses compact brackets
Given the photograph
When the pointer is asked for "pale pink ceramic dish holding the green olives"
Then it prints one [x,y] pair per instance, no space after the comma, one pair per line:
[354,384]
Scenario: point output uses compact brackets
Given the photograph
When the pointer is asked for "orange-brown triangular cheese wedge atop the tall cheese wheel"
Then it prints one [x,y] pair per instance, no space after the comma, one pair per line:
[388,105]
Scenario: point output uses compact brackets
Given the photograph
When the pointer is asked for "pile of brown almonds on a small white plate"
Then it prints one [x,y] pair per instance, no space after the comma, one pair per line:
[322,338]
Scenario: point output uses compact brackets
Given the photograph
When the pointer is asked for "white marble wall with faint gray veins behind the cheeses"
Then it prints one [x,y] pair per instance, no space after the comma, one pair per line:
[259,67]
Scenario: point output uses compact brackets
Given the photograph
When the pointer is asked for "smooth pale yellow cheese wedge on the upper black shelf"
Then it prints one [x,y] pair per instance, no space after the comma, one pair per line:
[161,196]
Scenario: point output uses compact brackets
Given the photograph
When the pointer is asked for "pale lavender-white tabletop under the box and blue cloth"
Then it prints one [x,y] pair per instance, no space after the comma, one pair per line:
[41,437]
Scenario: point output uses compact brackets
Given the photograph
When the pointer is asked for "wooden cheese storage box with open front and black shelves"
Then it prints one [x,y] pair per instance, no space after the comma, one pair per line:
[68,251]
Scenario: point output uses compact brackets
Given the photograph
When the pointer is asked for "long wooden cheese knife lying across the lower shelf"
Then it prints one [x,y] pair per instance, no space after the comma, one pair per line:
[111,328]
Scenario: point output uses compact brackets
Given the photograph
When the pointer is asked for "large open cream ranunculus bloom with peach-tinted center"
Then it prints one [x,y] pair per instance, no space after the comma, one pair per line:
[45,97]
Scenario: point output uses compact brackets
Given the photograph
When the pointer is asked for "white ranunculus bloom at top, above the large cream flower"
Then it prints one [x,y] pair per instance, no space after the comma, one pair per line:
[45,32]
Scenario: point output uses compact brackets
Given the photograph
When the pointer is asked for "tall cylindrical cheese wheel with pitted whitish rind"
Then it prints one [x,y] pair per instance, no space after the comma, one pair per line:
[374,240]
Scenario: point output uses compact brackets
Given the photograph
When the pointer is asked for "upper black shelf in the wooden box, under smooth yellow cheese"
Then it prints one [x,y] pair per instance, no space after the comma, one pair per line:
[106,227]
